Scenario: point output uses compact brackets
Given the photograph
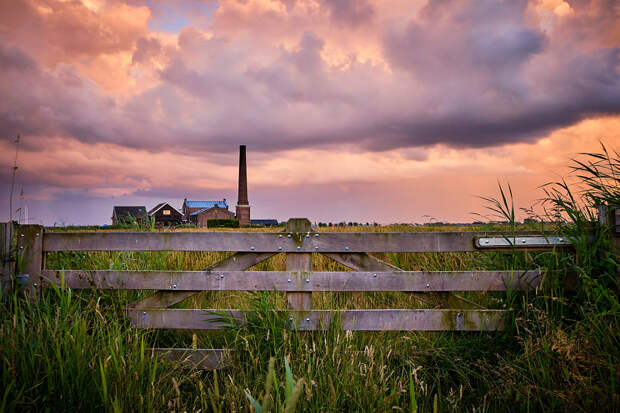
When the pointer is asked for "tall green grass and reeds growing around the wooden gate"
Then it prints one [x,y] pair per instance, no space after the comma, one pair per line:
[74,350]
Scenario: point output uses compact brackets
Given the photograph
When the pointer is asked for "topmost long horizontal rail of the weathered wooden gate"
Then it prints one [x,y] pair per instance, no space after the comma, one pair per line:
[276,242]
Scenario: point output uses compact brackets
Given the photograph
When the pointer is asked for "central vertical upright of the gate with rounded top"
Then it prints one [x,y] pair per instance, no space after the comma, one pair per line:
[299,261]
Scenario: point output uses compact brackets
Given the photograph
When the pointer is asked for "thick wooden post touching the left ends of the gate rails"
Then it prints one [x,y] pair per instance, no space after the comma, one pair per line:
[30,247]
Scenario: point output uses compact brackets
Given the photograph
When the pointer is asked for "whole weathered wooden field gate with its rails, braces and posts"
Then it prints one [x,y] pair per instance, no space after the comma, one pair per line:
[298,242]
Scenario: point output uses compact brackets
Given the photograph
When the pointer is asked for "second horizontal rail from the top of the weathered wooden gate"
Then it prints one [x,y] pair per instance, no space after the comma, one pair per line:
[297,281]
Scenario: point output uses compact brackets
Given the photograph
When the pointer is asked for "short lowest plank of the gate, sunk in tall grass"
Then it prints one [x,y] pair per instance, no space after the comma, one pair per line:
[202,358]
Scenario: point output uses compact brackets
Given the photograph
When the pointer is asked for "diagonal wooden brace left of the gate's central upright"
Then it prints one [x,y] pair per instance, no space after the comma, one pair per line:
[238,261]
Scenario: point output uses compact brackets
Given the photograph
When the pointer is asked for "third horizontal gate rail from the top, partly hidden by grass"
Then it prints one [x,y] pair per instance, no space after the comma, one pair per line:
[363,320]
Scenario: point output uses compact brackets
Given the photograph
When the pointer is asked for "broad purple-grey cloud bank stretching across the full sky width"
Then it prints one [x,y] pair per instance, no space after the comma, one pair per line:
[466,74]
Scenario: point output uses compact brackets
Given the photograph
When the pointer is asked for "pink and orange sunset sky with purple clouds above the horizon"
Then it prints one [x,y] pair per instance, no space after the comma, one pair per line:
[351,110]
